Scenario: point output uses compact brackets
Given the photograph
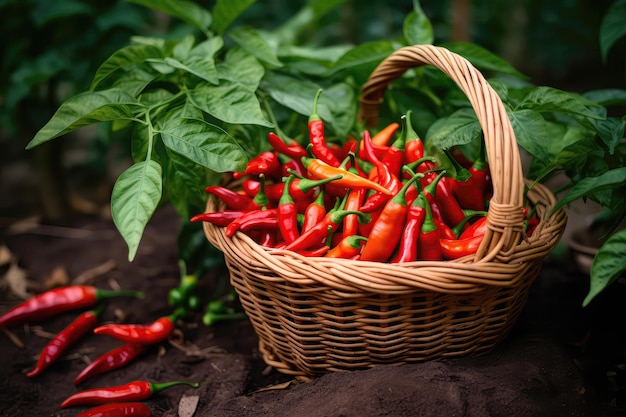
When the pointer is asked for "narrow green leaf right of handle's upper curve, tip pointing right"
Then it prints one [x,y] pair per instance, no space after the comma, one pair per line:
[548,99]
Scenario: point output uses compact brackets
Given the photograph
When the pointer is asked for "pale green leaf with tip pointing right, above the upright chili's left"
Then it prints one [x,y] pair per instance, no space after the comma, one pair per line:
[230,102]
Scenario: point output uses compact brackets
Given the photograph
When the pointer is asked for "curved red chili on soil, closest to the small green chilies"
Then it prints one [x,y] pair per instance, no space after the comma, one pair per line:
[147,334]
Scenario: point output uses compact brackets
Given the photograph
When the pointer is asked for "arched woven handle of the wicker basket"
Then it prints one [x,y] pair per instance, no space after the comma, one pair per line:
[505,218]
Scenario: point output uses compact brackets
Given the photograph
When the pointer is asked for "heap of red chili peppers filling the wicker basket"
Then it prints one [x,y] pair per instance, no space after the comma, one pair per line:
[374,199]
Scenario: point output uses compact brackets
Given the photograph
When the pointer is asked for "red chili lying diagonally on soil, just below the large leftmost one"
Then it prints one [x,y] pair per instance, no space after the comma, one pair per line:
[66,338]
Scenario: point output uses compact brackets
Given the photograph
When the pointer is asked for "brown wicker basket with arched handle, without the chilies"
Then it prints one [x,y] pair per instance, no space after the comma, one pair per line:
[315,315]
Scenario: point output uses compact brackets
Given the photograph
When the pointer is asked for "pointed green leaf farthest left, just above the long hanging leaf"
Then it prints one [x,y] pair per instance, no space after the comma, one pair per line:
[86,109]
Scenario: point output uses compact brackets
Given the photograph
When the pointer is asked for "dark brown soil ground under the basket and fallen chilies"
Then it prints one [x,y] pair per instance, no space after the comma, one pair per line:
[560,359]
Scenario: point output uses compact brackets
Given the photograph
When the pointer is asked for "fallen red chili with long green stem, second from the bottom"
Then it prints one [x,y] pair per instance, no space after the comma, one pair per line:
[133,391]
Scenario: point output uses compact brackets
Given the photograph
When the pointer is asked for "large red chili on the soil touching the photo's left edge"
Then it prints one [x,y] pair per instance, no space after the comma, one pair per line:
[59,300]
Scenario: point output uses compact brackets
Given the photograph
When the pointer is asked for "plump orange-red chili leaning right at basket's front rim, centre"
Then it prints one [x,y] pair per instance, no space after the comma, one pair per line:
[385,234]
